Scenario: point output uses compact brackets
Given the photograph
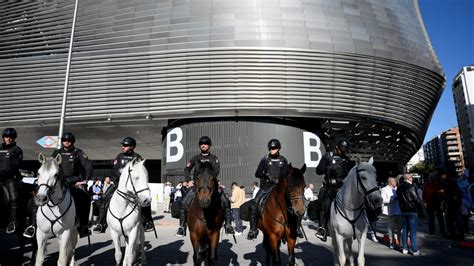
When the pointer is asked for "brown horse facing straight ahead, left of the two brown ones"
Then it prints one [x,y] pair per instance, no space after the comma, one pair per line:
[205,217]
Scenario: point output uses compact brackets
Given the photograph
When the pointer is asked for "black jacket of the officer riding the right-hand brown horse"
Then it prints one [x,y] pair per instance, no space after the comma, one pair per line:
[271,169]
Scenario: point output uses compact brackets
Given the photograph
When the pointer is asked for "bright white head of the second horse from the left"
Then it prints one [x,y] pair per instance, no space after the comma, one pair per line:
[134,182]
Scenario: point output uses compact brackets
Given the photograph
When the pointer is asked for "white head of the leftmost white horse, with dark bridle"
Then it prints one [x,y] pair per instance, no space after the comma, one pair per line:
[48,178]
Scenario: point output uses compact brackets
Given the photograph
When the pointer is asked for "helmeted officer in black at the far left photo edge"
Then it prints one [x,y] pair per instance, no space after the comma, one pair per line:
[11,157]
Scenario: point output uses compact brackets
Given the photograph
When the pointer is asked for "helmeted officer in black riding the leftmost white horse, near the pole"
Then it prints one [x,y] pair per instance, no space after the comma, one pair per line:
[77,170]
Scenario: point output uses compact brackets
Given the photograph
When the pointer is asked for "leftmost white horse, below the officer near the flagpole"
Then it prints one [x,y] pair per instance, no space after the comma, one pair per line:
[56,214]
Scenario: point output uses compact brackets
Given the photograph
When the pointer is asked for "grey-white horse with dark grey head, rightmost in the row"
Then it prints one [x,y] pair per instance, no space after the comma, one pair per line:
[348,219]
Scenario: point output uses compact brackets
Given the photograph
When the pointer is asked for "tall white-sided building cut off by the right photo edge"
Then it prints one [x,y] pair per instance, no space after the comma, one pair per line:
[463,91]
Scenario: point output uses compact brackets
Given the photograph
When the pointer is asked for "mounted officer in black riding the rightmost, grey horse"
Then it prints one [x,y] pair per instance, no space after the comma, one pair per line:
[335,166]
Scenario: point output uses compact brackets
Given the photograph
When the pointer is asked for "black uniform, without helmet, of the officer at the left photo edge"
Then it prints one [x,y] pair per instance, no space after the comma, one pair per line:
[11,157]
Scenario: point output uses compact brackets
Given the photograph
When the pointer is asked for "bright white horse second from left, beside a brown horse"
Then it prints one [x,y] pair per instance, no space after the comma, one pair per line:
[124,213]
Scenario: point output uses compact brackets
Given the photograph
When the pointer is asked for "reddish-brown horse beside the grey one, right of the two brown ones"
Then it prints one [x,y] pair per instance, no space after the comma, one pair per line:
[280,215]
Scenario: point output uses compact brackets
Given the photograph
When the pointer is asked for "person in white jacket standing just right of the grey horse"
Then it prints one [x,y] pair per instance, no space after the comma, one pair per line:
[391,208]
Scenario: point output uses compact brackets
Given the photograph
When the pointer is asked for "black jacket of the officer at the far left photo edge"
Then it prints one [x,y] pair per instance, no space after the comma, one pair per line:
[11,157]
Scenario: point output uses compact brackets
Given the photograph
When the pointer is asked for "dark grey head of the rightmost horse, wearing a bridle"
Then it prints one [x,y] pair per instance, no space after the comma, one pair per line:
[366,177]
